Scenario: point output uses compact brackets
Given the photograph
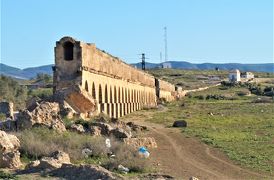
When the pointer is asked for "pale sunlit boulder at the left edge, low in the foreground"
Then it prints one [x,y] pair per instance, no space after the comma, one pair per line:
[9,154]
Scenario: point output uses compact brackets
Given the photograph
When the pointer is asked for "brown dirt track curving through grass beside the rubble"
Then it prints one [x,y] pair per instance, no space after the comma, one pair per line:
[183,157]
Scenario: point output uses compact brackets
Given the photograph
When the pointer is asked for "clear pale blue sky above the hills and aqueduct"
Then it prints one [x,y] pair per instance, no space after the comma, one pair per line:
[219,31]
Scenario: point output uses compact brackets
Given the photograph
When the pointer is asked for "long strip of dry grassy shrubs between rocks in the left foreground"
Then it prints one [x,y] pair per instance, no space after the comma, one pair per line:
[38,142]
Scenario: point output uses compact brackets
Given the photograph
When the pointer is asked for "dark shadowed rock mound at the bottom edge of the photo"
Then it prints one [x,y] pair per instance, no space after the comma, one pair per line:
[87,171]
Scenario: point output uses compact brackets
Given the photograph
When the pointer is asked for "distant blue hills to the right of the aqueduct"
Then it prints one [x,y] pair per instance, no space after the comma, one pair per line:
[267,67]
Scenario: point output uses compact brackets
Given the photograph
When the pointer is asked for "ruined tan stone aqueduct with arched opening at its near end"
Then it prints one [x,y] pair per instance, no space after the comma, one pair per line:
[92,81]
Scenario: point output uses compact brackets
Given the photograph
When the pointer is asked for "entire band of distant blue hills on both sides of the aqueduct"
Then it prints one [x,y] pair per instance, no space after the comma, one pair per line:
[29,73]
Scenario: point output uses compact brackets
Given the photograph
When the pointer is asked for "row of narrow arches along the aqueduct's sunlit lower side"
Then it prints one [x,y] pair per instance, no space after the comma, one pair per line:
[117,101]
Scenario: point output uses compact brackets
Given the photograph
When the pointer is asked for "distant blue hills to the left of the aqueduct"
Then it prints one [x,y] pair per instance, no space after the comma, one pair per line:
[27,73]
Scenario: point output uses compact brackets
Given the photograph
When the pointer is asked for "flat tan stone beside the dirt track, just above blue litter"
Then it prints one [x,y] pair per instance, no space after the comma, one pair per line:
[148,142]
